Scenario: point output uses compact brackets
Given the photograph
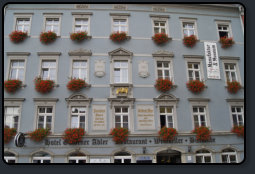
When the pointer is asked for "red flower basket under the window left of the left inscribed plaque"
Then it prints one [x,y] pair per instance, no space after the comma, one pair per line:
[73,135]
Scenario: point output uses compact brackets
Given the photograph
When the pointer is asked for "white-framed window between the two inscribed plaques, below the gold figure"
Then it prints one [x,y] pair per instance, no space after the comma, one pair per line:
[121,117]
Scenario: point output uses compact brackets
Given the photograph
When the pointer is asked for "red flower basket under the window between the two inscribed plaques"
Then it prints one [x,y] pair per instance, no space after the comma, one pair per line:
[120,135]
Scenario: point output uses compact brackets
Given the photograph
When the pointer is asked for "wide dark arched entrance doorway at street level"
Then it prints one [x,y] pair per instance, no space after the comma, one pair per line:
[169,156]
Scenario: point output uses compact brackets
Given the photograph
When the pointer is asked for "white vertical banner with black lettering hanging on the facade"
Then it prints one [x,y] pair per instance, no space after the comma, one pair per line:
[212,60]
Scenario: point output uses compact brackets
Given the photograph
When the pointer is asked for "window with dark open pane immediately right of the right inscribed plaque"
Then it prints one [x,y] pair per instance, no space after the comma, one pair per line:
[166,117]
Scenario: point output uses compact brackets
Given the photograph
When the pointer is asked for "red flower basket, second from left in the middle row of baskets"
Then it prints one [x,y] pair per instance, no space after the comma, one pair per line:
[43,86]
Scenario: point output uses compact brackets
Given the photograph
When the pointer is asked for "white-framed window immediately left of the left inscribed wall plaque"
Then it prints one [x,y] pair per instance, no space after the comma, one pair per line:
[78,117]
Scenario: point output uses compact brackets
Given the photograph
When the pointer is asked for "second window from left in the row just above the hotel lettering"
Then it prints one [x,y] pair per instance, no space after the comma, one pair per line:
[45,115]
